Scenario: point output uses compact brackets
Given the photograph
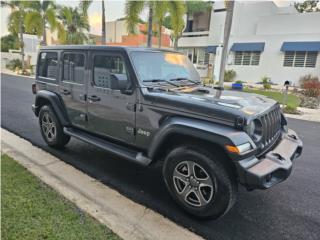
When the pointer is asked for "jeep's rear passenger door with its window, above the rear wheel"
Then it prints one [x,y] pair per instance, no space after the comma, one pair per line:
[73,86]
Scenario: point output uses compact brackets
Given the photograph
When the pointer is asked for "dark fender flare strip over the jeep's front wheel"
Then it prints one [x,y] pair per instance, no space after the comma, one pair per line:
[208,131]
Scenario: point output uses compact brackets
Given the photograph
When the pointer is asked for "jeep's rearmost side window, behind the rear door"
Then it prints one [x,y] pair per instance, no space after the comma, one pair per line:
[48,65]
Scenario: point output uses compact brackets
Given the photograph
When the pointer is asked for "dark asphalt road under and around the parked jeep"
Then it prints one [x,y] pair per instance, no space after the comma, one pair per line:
[290,210]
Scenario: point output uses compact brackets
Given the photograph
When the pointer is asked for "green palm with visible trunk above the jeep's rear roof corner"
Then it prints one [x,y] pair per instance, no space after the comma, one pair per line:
[40,14]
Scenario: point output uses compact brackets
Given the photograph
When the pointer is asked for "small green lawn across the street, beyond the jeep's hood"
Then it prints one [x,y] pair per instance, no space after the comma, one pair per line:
[292,100]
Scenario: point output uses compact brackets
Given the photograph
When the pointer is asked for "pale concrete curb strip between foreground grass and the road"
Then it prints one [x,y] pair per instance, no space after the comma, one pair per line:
[124,217]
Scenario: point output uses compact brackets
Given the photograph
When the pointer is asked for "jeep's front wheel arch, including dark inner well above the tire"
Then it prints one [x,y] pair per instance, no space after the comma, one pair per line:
[178,130]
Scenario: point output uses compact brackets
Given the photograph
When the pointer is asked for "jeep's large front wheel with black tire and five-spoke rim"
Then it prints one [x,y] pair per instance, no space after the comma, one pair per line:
[224,186]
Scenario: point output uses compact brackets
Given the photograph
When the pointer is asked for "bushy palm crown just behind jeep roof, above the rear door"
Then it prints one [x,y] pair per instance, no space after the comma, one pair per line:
[73,25]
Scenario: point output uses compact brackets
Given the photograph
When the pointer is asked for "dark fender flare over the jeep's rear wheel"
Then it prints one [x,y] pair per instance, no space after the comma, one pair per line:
[56,104]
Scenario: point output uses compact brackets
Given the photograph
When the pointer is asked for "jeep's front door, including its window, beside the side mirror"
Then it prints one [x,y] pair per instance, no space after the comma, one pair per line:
[111,112]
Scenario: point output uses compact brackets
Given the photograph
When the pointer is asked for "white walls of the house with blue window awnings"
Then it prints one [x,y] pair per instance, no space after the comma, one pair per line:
[264,22]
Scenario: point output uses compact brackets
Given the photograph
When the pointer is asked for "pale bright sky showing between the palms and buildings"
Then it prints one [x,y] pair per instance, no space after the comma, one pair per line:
[114,10]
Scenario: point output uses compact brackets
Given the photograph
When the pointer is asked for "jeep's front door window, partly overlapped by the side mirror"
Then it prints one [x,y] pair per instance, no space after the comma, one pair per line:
[109,72]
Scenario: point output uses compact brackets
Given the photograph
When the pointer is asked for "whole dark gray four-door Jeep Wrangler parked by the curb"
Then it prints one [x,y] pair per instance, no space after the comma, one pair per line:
[147,106]
